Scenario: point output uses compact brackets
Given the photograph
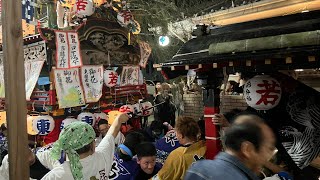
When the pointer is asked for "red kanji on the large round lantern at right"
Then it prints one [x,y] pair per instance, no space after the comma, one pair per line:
[266,96]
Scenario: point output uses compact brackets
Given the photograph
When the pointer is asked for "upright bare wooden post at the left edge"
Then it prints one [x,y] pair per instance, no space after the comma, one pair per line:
[15,89]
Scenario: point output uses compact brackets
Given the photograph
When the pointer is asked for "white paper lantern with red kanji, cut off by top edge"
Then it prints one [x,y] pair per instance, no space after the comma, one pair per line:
[84,8]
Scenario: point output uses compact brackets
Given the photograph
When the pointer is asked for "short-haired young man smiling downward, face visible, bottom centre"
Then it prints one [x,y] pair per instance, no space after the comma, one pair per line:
[146,158]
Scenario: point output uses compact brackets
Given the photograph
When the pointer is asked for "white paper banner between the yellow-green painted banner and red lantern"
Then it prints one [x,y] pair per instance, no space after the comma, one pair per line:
[92,82]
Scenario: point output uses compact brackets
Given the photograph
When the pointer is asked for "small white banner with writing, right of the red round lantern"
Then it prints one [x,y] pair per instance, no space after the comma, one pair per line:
[130,75]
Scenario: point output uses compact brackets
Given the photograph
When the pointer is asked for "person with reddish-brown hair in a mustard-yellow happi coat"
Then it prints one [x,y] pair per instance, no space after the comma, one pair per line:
[191,150]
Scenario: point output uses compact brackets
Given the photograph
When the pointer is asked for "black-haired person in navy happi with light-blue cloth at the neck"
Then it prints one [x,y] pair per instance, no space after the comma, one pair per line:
[124,167]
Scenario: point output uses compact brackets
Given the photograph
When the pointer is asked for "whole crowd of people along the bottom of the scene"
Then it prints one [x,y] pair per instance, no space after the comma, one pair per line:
[80,153]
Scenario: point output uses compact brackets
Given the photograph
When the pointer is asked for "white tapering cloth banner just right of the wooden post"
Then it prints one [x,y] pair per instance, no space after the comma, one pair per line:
[32,70]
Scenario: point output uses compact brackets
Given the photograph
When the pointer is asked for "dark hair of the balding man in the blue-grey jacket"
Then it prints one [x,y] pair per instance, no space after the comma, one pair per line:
[239,133]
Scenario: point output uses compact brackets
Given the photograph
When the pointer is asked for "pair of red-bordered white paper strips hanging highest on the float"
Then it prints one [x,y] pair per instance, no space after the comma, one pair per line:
[68,50]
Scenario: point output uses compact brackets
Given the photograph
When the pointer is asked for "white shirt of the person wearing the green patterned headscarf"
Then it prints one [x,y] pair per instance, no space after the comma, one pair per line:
[95,166]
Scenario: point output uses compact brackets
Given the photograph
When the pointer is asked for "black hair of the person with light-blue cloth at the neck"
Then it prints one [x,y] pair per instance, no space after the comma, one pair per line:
[133,139]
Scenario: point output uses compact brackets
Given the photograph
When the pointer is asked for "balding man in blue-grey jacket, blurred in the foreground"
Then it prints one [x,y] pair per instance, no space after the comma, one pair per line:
[249,144]
